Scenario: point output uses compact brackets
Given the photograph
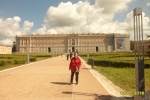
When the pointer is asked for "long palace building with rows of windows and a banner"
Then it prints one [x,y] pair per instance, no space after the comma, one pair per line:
[61,43]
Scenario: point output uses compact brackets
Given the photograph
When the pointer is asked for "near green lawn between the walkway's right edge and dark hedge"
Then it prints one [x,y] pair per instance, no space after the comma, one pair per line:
[123,77]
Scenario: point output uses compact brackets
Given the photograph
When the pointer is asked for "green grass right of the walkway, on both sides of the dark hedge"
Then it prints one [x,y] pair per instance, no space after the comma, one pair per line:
[122,77]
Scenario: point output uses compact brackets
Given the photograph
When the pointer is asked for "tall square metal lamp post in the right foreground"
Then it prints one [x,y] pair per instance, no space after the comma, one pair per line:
[139,53]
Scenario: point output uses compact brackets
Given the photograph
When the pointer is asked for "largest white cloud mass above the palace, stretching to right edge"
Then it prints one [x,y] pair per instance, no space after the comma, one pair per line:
[85,18]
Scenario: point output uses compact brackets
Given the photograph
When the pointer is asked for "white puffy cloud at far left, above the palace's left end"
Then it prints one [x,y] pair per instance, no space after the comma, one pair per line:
[10,27]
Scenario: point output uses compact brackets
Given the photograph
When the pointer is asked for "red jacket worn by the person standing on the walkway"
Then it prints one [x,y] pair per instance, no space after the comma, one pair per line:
[74,63]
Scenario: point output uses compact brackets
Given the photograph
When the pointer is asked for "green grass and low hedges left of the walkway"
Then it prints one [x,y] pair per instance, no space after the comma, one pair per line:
[14,60]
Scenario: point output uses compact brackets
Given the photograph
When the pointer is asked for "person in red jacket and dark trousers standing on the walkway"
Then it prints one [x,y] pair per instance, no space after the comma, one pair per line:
[74,66]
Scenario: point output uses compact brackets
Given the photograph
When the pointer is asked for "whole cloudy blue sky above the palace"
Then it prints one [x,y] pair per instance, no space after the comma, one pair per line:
[23,17]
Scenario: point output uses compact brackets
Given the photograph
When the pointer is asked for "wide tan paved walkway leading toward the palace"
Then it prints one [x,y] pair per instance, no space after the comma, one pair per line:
[48,80]
